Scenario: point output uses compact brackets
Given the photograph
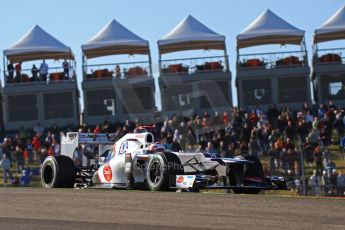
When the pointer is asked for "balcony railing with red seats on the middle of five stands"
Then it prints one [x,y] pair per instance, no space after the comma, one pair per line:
[193,65]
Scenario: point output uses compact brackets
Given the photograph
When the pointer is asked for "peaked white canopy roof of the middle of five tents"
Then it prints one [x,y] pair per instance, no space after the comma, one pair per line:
[190,34]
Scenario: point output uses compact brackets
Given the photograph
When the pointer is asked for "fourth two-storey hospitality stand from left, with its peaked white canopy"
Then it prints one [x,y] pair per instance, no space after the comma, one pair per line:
[280,78]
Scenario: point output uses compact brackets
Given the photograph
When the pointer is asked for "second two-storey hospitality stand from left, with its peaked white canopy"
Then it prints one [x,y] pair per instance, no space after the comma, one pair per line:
[120,91]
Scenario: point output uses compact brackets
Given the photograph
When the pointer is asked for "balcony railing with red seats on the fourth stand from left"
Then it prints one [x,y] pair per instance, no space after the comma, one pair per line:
[272,60]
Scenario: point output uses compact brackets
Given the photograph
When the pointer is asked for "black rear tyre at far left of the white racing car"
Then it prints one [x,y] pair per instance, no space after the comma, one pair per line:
[58,172]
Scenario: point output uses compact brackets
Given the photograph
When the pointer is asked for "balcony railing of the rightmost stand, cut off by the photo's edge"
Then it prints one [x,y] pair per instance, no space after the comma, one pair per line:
[330,56]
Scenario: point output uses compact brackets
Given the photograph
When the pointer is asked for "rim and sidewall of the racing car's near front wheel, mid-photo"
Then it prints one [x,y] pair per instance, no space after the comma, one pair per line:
[157,174]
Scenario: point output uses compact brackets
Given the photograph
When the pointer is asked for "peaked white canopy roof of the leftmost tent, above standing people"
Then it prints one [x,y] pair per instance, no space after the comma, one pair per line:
[38,44]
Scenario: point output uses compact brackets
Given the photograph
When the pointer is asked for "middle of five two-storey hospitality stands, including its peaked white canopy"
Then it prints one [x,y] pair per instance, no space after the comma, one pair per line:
[193,85]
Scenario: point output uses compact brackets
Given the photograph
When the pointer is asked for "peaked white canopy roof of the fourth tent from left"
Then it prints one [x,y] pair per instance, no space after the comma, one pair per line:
[269,28]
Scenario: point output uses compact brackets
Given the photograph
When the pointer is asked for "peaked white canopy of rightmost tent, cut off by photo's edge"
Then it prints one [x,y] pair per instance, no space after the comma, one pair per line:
[333,28]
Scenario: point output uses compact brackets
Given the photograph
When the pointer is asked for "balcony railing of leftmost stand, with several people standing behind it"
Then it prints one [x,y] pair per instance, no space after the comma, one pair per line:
[33,76]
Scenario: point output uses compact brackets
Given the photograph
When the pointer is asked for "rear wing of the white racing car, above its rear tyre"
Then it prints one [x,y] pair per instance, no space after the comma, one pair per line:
[72,140]
